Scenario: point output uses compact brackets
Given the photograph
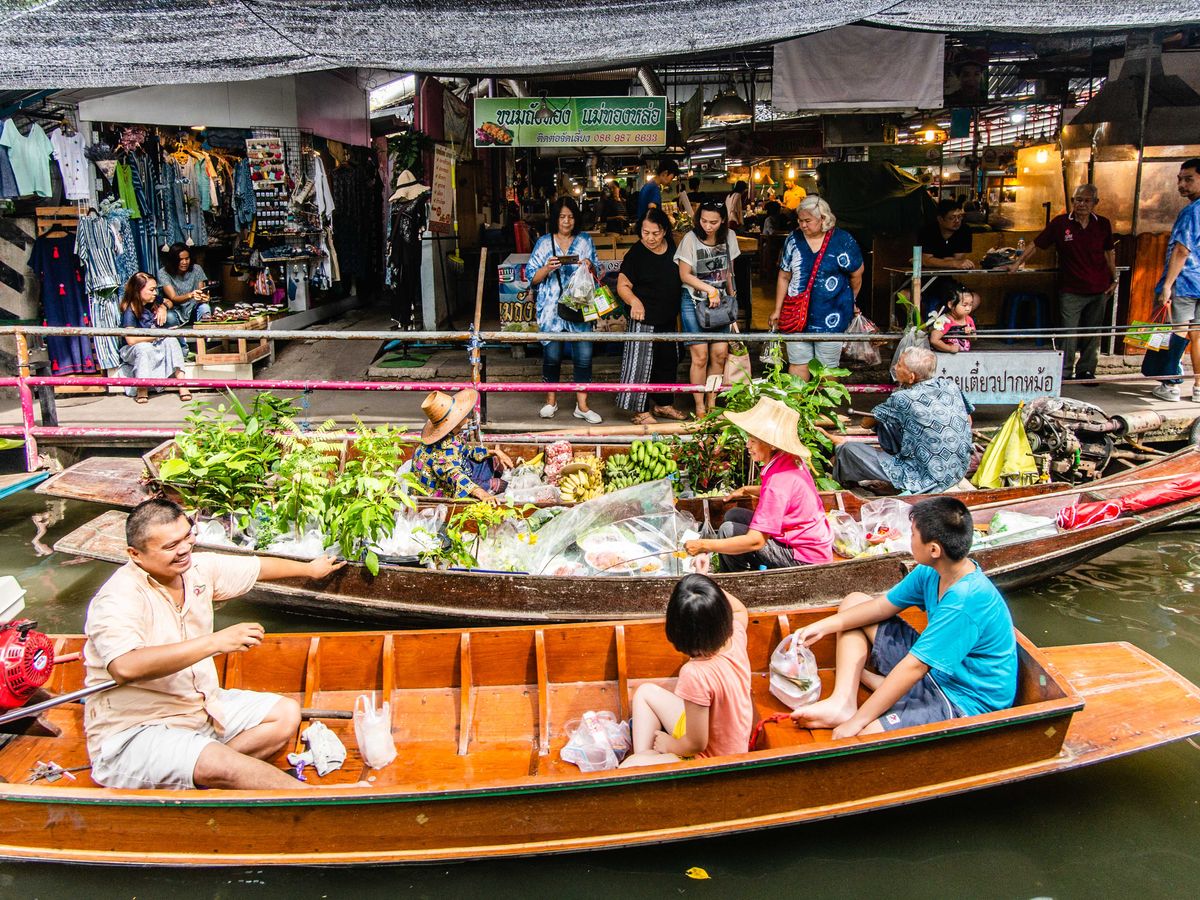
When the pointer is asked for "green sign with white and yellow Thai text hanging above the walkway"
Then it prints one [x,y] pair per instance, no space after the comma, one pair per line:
[572,122]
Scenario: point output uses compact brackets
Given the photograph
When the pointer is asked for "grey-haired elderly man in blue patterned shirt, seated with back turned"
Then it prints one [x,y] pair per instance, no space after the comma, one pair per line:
[925,434]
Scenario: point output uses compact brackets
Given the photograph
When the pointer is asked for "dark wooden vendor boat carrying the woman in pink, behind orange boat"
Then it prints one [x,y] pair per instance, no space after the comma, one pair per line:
[400,593]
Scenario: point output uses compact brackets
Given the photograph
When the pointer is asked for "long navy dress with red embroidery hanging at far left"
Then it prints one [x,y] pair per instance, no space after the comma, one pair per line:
[64,303]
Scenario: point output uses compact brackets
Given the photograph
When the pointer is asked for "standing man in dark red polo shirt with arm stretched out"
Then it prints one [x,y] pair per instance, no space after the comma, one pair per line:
[1088,275]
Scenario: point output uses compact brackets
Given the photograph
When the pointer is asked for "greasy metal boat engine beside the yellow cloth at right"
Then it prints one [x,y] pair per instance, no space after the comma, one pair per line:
[1072,440]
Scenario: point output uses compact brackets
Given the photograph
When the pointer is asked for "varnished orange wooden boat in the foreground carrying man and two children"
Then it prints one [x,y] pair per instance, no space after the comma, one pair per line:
[479,719]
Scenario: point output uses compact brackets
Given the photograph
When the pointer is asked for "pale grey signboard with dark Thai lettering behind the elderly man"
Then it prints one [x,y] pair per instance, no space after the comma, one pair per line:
[1004,377]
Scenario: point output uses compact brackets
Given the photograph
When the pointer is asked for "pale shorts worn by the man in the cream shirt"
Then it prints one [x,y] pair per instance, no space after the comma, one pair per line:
[165,755]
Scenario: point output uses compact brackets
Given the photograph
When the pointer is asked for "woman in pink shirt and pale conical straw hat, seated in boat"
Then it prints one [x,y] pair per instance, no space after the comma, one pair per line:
[789,526]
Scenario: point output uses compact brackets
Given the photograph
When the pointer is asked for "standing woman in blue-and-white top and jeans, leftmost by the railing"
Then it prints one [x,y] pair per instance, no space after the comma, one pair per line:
[553,263]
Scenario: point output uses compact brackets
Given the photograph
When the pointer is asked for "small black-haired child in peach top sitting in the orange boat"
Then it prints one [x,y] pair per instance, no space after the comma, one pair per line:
[710,713]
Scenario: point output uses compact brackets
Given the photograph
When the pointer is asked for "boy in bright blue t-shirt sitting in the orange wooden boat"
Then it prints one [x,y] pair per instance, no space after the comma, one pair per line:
[963,664]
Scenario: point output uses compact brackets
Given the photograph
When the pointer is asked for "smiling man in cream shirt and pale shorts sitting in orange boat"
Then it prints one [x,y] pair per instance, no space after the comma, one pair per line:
[169,723]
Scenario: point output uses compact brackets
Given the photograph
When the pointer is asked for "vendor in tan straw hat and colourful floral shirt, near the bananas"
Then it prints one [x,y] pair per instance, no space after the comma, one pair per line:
[446,465]
